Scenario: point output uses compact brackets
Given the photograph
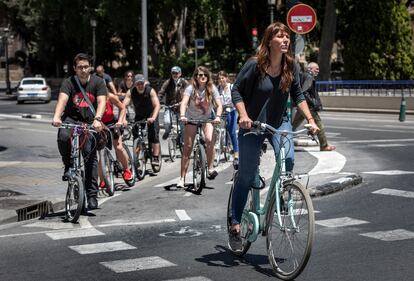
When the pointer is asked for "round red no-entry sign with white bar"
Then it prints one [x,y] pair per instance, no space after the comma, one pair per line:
[301,18]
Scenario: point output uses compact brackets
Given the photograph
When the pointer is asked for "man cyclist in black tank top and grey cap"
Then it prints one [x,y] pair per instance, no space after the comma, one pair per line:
[146,106]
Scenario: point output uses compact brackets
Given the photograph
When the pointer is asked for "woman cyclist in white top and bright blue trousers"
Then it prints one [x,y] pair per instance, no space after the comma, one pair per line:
[224,89]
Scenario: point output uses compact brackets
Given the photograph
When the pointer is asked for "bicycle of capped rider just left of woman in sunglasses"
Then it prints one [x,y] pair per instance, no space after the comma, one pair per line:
[175,138]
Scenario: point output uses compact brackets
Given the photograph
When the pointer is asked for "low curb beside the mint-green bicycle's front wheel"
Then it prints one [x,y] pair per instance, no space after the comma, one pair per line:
[336,185]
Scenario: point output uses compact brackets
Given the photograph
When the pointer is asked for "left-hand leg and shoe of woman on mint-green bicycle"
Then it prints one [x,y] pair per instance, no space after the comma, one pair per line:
[248,162]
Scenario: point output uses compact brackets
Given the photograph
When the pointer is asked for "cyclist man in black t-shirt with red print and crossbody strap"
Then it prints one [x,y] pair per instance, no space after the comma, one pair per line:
[73,107]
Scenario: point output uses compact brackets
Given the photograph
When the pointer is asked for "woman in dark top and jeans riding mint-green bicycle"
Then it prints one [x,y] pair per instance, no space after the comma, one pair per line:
[261,93]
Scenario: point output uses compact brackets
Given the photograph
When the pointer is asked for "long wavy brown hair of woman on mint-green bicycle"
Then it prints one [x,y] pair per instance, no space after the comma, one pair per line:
[263,55]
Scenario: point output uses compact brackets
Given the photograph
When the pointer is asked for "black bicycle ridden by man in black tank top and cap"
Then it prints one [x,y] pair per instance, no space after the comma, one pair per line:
[142,151]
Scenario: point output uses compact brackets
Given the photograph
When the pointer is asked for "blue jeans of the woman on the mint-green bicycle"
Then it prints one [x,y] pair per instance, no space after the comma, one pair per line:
[249,158]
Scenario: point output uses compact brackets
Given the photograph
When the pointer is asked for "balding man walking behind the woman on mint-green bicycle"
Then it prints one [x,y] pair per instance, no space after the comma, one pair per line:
[314,103]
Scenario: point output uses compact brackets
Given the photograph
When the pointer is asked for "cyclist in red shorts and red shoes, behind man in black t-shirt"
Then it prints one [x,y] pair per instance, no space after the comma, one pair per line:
[108,118]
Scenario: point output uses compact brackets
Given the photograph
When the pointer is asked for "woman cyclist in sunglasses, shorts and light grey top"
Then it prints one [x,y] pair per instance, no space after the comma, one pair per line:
[199,96]
